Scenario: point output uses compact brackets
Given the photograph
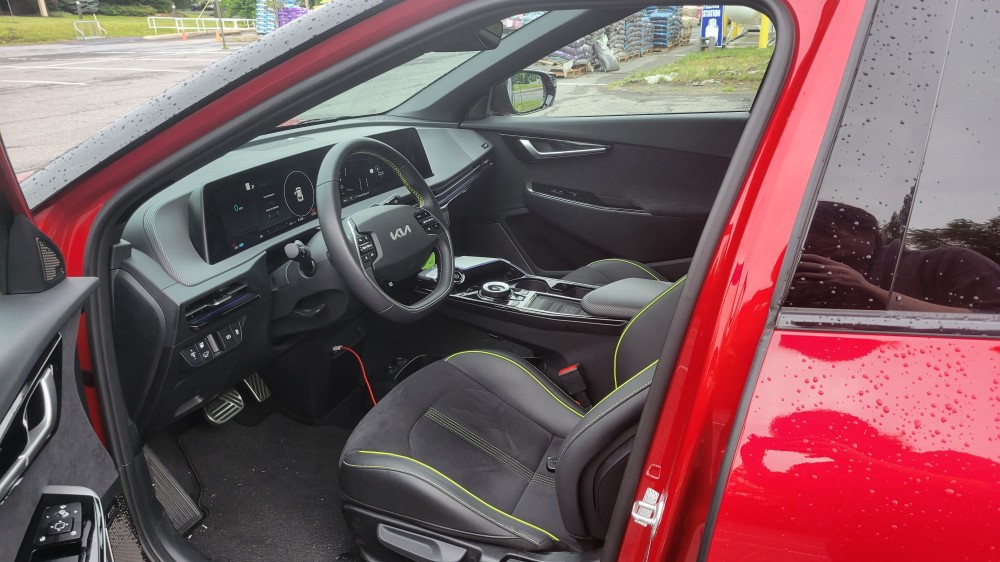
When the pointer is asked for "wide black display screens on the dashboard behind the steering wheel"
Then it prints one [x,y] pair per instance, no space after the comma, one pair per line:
[261,203]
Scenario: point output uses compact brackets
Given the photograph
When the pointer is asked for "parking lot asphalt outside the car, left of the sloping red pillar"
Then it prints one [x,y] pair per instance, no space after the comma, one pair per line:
[52,97]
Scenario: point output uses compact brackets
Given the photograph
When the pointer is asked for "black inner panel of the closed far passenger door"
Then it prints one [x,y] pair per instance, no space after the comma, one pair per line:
[644,179]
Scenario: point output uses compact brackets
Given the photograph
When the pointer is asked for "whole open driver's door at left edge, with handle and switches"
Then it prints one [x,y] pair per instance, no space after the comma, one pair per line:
[56,478]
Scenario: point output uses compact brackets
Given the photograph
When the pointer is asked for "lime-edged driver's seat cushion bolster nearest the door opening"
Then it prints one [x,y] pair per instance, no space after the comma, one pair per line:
[407,488]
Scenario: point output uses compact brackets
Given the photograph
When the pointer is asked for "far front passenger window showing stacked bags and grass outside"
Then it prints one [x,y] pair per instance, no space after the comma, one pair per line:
[663,59]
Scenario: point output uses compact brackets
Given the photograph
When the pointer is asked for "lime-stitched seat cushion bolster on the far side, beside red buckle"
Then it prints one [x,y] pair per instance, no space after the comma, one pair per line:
[523,387]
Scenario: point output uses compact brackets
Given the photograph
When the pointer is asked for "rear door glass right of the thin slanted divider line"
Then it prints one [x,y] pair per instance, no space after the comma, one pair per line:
[953,236]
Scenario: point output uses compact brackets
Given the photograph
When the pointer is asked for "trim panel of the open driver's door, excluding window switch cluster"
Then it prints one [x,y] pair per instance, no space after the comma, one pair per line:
[47,438]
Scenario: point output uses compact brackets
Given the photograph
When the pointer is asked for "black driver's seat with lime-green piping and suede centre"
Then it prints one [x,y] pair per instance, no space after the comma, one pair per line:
[463,449]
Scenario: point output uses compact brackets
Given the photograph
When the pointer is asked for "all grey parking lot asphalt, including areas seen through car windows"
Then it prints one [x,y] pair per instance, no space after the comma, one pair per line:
[52,97]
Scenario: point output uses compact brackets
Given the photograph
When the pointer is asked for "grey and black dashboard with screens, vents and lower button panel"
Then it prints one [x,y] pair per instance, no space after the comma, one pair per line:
[203,291]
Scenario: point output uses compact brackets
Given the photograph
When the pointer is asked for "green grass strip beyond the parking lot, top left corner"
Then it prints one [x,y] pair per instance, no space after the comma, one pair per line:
[27,30]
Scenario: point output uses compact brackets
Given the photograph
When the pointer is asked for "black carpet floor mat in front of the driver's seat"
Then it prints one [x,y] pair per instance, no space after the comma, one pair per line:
[271,491]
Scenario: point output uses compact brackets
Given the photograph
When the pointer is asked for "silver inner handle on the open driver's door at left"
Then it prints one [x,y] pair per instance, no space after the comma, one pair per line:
[37,432]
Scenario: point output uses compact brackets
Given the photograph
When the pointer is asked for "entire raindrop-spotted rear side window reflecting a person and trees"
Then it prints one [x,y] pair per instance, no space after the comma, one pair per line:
[908,214]
